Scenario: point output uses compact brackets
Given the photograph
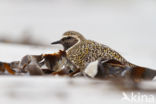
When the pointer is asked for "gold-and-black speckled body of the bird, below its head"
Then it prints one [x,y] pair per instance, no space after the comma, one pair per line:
[88,51]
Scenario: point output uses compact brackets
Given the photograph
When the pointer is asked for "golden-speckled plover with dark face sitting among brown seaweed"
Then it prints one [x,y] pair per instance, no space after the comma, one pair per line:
[81,51]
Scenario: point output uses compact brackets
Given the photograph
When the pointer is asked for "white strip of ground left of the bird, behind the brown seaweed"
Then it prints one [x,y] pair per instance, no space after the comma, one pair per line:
[13,52]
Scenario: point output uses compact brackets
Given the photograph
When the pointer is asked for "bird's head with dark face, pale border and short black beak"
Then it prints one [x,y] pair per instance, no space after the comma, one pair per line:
[69,39]
